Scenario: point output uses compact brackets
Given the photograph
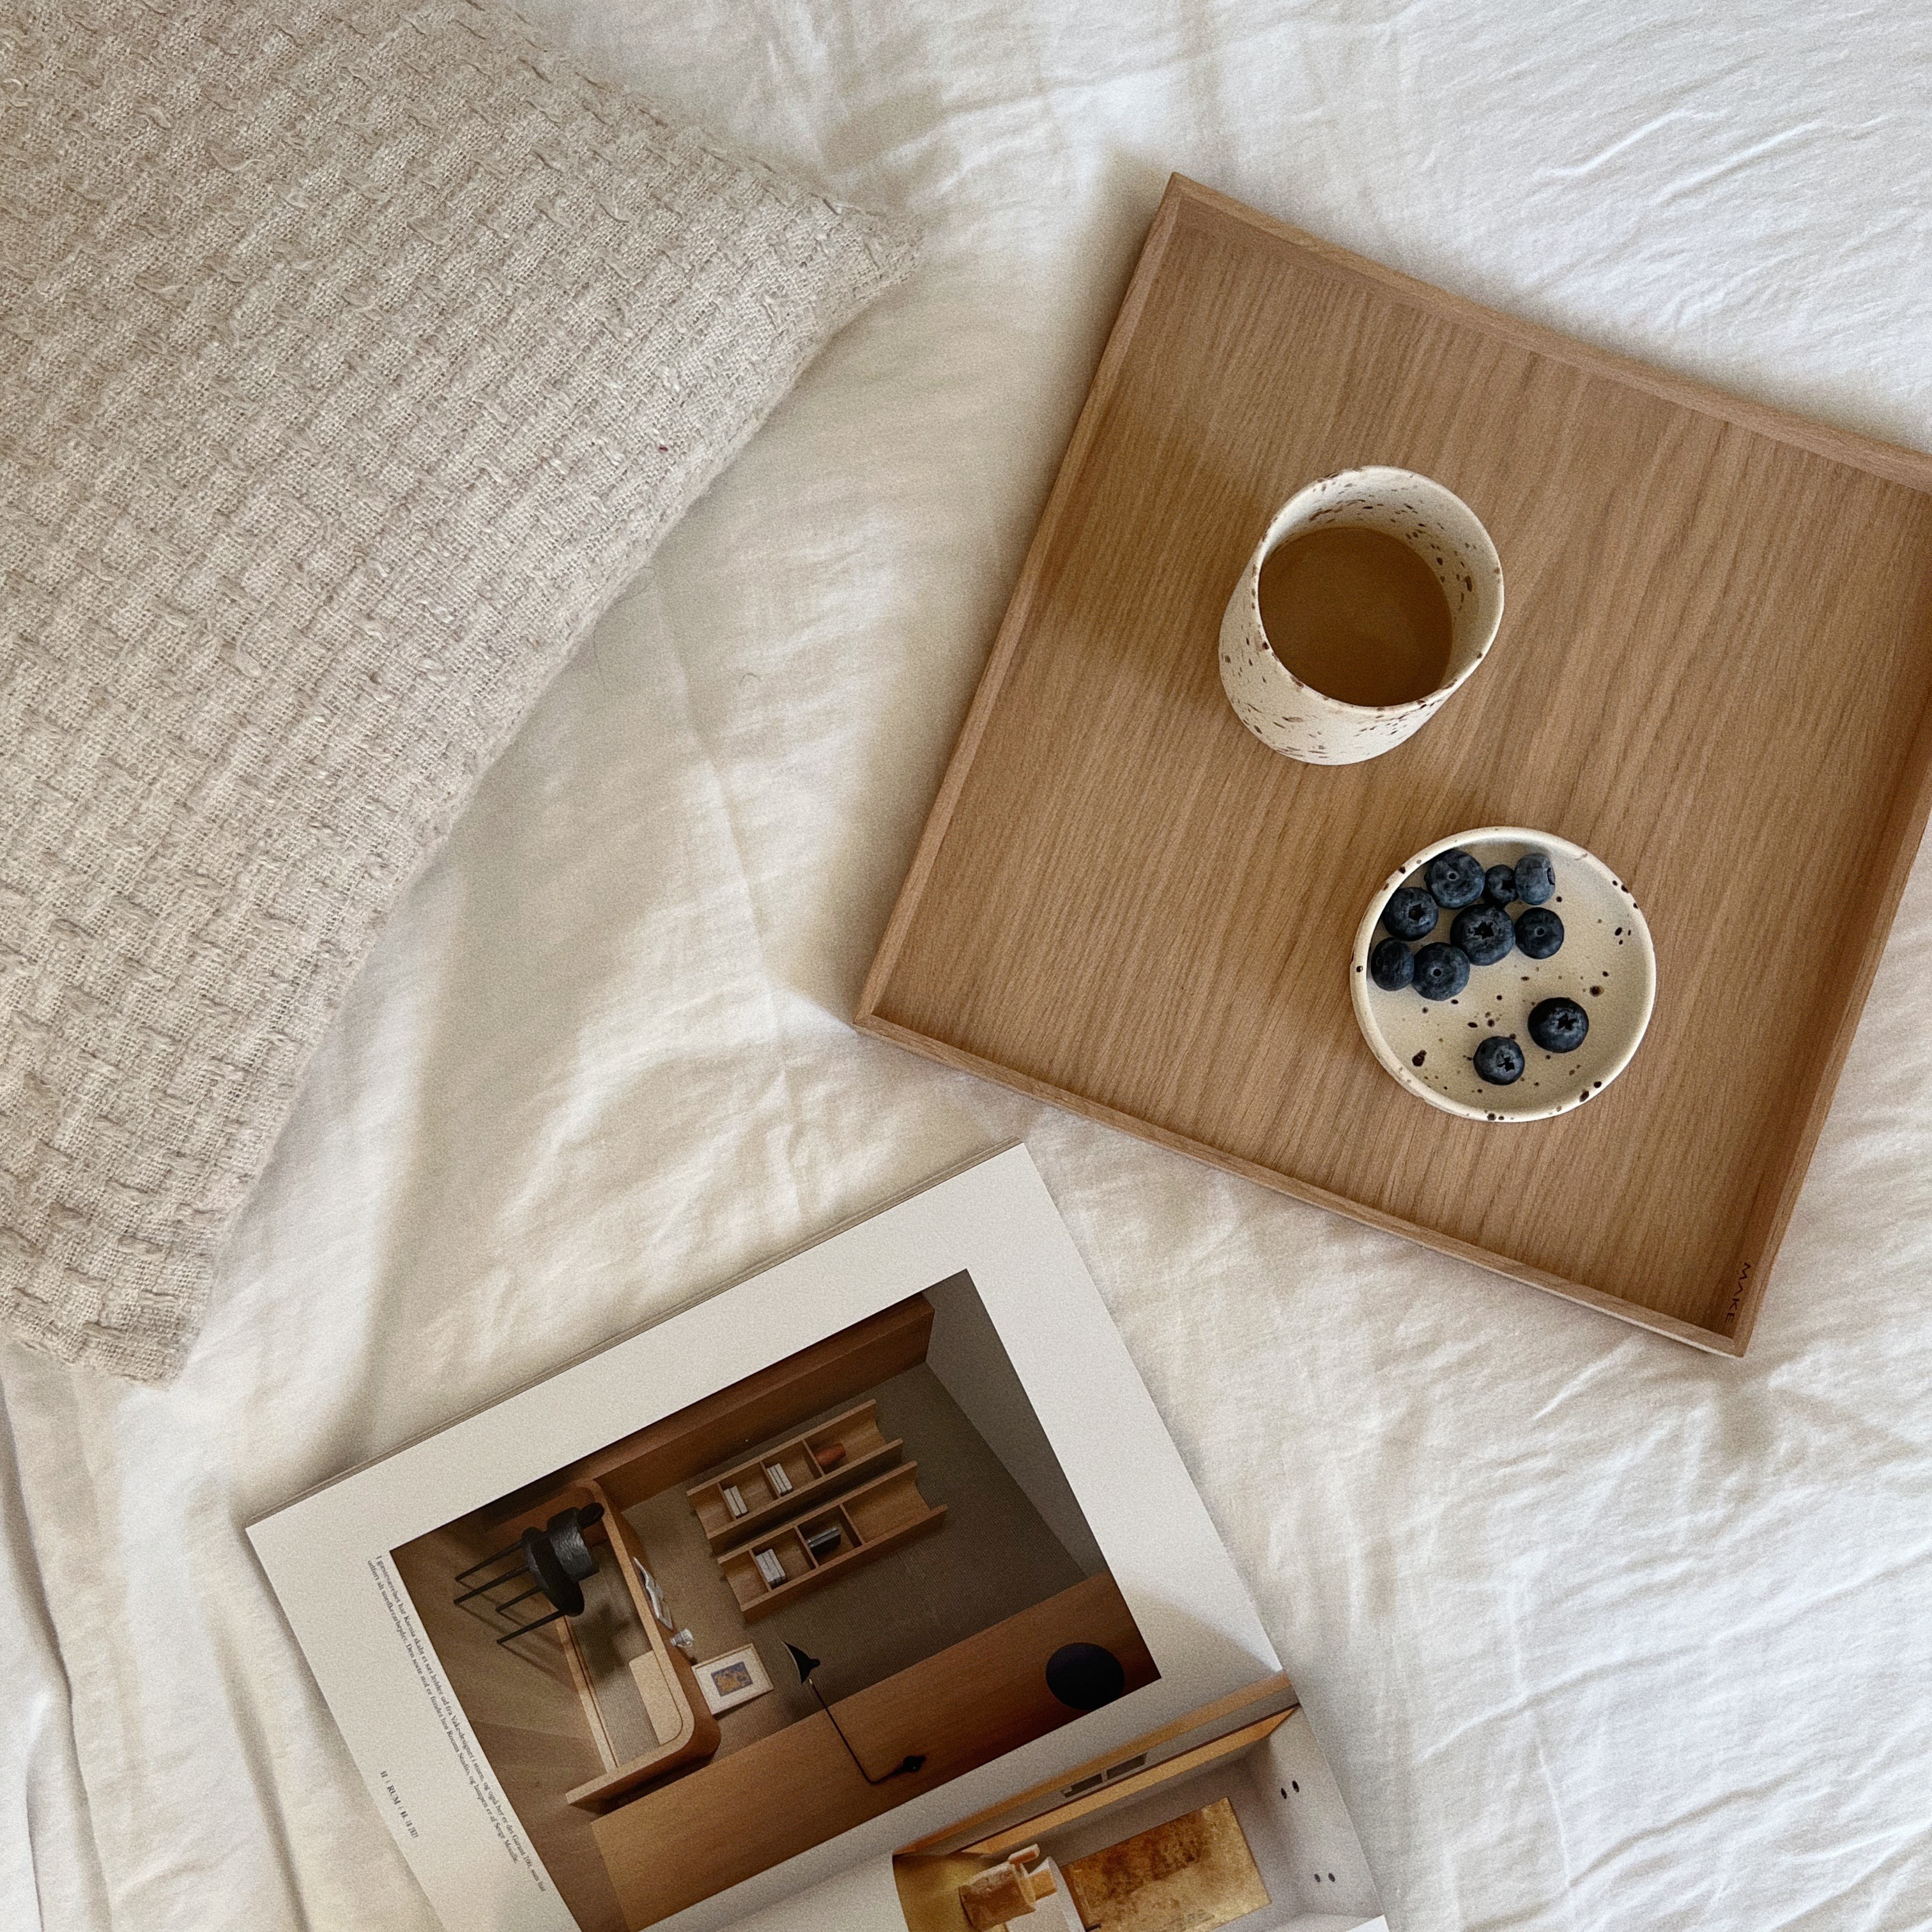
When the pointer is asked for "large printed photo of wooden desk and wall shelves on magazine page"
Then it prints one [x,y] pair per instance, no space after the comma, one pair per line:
[762,1620]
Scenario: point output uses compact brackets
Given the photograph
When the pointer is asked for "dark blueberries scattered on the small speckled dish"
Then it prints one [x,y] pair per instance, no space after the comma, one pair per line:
[1481,934]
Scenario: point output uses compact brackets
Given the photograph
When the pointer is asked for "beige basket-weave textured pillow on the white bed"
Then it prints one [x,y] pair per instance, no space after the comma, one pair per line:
[351,358]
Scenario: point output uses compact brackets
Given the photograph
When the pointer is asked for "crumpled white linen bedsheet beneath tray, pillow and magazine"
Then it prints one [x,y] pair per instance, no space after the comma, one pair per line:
[1599,1632]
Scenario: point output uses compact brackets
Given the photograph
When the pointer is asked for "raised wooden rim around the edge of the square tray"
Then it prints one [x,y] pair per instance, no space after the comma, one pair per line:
[1902,820]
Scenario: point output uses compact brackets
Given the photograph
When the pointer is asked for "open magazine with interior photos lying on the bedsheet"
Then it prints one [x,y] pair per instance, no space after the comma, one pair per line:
[865,1597]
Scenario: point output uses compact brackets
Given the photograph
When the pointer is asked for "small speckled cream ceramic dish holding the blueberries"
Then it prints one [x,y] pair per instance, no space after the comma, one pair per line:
[1606,965]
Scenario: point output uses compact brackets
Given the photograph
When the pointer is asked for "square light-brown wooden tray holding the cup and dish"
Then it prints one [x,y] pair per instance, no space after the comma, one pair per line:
[1713,671]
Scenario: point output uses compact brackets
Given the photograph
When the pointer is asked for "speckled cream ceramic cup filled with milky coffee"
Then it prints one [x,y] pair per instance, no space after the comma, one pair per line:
[1301,722]
